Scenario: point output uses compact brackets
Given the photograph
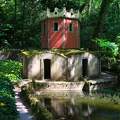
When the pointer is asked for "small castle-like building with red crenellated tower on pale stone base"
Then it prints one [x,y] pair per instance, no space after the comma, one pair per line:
[60,57]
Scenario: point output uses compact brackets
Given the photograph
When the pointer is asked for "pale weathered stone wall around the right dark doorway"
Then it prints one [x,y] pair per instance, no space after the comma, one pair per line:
[75,66]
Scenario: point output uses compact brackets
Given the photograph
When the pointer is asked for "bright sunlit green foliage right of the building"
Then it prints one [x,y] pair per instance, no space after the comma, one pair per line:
[110,54]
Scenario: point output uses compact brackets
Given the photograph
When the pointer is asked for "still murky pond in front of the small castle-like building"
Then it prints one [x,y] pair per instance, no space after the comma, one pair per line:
[74,106]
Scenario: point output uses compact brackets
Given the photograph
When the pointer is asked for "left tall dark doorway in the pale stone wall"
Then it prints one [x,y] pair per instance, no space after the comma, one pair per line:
[47,69]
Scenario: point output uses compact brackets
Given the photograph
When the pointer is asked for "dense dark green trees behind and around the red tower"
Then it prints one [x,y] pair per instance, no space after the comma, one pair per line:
[19,21]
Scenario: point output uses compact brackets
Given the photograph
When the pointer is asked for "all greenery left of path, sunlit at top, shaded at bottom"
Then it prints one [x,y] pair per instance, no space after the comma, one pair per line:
[10,72]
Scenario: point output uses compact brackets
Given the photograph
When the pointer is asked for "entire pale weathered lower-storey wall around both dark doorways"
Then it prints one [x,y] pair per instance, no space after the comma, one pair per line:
[62,68]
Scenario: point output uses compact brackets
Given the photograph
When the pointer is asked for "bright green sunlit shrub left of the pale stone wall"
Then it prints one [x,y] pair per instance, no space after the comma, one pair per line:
[11,70]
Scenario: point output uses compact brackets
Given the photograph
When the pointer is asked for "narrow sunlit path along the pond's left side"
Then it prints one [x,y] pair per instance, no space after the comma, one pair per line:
[21,108]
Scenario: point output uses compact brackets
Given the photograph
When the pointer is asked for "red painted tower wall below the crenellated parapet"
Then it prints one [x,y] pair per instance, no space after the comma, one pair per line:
[63,38]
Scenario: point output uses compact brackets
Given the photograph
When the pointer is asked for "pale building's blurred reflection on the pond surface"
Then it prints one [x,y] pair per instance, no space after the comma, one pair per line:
[67,108]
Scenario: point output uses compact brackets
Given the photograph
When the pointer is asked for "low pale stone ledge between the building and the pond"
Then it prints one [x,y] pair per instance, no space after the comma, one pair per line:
[103,81]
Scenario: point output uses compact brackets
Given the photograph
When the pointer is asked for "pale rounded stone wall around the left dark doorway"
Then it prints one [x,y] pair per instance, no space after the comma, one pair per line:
[35,66]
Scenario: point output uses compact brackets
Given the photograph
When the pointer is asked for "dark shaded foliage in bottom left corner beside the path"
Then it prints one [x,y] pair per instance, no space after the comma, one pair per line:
[7,100]
